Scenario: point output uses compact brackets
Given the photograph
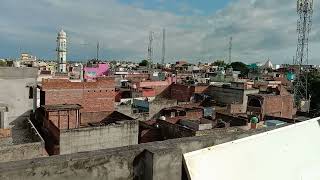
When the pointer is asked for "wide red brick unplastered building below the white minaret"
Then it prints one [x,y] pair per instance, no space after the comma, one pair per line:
[96,98]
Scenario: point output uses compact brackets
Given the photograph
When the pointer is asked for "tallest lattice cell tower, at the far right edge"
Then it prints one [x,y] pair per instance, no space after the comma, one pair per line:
[301,94]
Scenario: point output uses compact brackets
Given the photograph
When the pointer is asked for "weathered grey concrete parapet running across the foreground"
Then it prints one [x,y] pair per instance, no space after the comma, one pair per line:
[156,160]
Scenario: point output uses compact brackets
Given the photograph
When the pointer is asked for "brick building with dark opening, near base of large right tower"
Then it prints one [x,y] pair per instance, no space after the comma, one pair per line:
[278,104]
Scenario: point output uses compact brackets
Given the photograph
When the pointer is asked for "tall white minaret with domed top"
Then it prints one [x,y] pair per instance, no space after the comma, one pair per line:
[62,52]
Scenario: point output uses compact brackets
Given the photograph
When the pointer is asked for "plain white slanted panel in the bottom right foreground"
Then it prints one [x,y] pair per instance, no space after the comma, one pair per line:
[288,153]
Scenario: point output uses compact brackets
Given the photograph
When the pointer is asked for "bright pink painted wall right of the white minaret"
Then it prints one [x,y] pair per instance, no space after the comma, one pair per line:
[94,72]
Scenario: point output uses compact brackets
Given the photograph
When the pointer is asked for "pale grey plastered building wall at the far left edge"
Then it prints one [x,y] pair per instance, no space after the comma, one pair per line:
[14,93]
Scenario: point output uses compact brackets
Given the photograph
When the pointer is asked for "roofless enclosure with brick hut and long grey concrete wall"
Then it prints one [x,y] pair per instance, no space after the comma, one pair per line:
[67,135]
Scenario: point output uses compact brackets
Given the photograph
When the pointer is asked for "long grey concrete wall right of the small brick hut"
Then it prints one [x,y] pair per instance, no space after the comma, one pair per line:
[94,138]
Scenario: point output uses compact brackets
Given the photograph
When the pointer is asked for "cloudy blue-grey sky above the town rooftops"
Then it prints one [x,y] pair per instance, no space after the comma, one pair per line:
[197,30]
